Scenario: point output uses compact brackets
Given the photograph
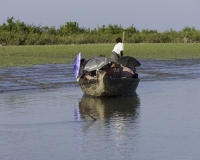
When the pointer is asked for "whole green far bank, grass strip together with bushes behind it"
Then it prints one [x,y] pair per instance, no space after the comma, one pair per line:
[24,45]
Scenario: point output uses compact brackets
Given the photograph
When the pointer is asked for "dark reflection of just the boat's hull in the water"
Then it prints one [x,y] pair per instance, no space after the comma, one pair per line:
[109,107]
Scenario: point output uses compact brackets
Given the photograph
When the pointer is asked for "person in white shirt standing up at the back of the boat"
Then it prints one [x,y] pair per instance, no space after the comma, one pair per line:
[117,51]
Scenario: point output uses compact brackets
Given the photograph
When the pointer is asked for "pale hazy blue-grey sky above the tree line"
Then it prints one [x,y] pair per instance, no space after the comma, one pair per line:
[158,15]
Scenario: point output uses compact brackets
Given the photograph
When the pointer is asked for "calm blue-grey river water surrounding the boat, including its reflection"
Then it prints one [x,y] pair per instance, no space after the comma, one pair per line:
[44,115]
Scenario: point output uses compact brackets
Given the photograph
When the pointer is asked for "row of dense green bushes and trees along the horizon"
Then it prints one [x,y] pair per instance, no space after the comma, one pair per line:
[15,32]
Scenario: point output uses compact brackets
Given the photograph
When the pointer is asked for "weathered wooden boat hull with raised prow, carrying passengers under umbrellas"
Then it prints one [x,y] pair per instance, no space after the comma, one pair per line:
[103,85]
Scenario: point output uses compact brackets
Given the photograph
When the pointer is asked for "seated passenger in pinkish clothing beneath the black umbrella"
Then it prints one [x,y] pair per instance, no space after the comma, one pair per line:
[125,72]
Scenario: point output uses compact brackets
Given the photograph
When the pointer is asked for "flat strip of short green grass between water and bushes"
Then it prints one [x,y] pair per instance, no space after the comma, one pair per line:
[59,54]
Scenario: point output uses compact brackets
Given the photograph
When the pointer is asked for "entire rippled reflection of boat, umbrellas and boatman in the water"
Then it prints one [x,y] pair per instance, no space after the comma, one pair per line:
[117,120]
